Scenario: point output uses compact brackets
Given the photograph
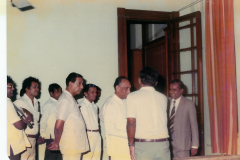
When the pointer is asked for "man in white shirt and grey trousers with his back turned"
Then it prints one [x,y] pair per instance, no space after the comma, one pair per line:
[147,120]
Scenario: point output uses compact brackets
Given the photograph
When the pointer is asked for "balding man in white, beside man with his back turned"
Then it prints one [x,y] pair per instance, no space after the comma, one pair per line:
[113,113]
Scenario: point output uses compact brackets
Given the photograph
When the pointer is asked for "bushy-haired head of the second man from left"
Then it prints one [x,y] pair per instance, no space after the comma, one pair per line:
[30,86]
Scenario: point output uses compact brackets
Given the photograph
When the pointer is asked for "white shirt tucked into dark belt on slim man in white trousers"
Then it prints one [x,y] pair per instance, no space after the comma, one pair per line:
[89,112]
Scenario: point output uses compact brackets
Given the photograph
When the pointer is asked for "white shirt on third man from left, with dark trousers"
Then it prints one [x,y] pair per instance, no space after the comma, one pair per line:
[48,119]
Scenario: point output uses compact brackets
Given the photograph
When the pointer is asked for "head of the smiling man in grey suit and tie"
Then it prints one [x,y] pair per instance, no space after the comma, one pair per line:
[176,88]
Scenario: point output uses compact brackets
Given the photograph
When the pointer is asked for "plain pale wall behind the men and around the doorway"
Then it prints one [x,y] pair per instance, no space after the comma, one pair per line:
[59,37]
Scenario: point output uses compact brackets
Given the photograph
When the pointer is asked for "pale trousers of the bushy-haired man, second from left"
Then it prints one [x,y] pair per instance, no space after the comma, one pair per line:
[30,152]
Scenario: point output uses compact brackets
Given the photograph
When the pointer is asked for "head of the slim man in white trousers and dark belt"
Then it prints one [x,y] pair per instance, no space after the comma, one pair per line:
[90,92]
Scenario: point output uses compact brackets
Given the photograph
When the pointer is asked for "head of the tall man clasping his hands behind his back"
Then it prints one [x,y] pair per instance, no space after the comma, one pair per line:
[74,83]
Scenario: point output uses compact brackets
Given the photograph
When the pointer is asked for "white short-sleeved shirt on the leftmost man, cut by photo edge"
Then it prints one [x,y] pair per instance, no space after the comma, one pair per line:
[17,139]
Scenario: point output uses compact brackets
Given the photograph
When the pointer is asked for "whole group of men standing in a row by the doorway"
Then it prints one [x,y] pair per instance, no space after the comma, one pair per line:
[137,124]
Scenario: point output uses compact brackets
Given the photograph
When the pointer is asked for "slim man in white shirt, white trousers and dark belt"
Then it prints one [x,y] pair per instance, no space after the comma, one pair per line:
[89,111]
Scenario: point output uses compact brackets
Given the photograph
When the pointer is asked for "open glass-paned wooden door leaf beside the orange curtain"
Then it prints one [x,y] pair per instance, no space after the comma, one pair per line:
[184,47]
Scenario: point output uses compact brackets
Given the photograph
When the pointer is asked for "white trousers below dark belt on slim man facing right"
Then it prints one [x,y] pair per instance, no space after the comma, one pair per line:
[94,139]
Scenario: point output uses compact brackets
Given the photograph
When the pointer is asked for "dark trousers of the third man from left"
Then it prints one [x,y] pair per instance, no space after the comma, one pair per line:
[52,155]
